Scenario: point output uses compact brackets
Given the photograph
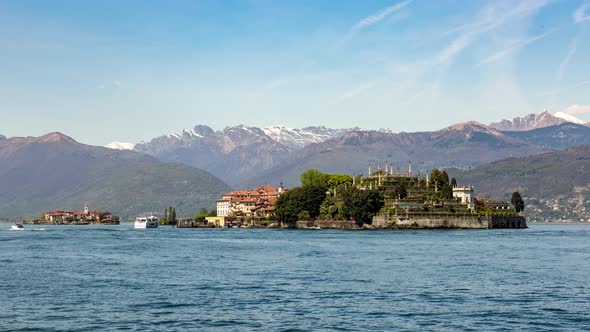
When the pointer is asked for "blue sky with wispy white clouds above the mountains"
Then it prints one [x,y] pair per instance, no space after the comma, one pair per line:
[103,71]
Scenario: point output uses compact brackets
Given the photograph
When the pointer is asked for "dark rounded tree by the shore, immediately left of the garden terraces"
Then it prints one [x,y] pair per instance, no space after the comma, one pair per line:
[361,205]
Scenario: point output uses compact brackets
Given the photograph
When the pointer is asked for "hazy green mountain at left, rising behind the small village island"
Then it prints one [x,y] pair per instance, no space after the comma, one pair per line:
[54,172]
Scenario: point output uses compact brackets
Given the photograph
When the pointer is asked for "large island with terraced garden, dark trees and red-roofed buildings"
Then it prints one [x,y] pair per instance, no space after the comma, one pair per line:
[383,199]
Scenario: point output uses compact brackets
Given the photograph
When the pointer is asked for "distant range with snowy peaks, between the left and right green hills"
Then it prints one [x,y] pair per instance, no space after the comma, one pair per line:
[243,156]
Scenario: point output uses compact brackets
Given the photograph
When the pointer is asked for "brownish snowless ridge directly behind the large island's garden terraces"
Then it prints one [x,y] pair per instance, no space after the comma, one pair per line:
[463,145]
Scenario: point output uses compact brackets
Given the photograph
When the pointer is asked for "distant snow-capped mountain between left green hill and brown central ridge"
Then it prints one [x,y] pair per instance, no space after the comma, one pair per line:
[236,151]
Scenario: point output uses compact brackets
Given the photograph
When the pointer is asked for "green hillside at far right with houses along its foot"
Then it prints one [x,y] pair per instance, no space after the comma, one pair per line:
[555,184]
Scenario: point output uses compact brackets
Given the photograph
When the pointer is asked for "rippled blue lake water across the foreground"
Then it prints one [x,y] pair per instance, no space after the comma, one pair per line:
[82,278]
